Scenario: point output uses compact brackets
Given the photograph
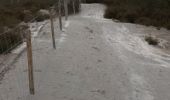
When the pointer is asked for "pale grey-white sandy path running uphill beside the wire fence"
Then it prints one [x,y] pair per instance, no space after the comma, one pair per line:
[96,59]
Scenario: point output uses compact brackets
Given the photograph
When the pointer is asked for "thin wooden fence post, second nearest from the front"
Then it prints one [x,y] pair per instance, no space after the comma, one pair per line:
[52,28]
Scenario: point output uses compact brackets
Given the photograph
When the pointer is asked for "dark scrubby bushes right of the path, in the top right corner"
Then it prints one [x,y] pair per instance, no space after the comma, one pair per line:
[146,12]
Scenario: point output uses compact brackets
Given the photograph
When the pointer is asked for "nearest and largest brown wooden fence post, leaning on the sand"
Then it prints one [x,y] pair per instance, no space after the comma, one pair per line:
[30,62]
